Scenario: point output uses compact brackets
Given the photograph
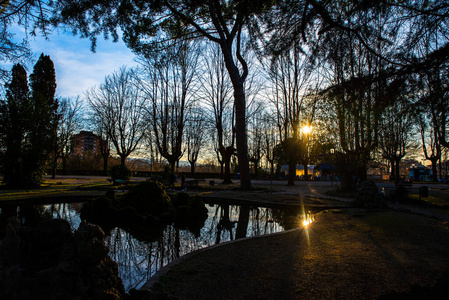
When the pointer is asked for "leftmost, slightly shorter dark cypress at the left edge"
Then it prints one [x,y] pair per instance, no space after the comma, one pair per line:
[14,125]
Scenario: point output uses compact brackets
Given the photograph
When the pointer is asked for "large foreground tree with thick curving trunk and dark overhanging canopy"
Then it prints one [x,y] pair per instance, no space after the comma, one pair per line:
[147,24]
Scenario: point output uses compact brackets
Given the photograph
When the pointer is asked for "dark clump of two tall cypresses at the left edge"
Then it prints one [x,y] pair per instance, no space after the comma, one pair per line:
[29,124]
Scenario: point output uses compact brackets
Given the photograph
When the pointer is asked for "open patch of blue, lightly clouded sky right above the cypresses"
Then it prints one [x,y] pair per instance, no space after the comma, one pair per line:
[77,67]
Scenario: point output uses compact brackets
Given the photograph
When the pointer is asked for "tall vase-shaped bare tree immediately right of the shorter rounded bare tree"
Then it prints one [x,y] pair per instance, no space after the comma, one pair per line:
[169,89]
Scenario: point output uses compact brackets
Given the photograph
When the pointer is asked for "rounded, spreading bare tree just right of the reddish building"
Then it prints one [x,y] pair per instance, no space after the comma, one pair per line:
[119,106]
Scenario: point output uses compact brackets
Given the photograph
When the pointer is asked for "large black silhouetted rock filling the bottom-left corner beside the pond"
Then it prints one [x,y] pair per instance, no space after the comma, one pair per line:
[51,262]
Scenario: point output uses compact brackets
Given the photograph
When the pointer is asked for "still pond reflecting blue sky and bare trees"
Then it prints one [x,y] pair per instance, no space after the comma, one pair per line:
[140,254]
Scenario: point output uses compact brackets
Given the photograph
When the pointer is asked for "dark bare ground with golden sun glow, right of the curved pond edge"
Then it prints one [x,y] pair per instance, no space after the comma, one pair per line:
[350,254]
